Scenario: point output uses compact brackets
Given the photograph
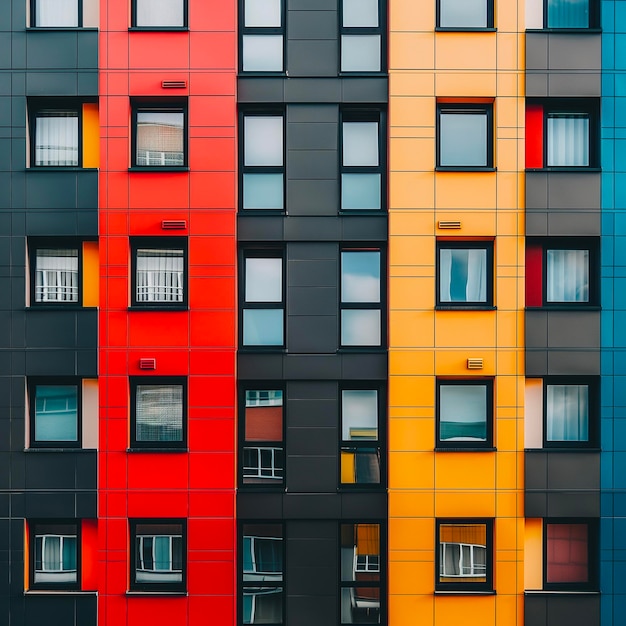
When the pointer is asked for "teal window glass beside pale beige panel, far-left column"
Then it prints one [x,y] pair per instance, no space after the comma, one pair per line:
[56,414]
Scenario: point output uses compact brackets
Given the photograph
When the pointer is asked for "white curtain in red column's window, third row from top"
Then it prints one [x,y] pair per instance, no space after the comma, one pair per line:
[160,276]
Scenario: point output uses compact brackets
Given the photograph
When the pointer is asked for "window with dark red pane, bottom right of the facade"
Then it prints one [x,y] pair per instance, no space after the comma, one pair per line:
[570,549]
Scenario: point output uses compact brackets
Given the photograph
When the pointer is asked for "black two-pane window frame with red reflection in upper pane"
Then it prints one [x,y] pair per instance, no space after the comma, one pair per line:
[271,483]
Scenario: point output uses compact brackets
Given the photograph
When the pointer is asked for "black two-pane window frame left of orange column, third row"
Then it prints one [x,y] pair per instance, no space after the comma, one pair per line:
[380,306]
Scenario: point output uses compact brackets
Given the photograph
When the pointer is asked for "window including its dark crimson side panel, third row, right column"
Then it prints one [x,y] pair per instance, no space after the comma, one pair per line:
[562,272]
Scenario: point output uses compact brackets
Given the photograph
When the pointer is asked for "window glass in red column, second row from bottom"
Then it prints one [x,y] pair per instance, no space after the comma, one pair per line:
[159,413]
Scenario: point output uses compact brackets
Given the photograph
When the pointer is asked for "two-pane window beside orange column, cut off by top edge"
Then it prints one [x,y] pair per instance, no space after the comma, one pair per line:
[361,36]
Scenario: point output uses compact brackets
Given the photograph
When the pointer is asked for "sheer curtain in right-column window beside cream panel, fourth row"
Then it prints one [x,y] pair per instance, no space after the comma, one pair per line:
[567,413]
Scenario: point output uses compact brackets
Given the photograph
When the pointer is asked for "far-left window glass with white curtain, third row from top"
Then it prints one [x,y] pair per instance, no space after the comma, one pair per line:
[56,275]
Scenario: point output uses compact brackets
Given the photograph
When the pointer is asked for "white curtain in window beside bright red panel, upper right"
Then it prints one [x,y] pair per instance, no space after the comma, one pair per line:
[568,140]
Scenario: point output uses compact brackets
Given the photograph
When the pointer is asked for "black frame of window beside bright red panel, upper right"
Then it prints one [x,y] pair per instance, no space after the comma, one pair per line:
[586,106]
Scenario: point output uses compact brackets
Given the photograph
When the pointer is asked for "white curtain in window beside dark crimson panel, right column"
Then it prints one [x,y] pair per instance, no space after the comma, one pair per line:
[568,275]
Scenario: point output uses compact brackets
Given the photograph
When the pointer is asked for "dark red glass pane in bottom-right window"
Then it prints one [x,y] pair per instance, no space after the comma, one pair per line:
[567,559]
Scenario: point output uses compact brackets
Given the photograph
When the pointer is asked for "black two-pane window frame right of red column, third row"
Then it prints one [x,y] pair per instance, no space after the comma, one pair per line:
[261,253]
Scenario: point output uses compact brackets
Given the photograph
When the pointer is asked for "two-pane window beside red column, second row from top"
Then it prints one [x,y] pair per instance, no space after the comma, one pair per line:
[262,166]
